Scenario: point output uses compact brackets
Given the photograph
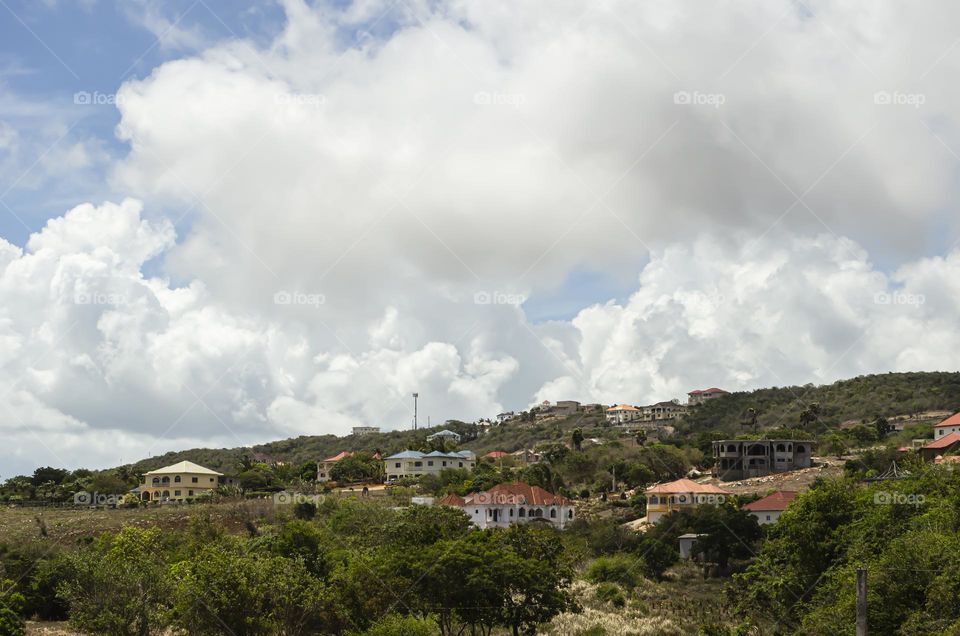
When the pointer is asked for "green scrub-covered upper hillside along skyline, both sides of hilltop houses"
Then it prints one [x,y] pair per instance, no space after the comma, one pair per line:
[861,398]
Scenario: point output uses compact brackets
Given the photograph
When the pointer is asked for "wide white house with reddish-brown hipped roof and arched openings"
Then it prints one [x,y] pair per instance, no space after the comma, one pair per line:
[507,504]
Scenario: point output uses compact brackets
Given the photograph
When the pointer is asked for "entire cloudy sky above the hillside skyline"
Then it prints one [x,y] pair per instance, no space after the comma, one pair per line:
[228,222]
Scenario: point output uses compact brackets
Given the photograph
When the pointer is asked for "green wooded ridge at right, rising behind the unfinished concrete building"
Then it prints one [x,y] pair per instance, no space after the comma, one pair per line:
[864,397]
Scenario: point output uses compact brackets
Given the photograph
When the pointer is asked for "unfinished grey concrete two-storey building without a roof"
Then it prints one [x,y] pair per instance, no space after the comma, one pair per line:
[741,459]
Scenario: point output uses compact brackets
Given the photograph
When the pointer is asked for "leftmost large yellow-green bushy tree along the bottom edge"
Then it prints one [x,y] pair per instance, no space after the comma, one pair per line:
[119,585]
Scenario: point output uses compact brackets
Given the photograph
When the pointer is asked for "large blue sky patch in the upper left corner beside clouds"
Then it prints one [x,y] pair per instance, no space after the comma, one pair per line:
[53,50]
